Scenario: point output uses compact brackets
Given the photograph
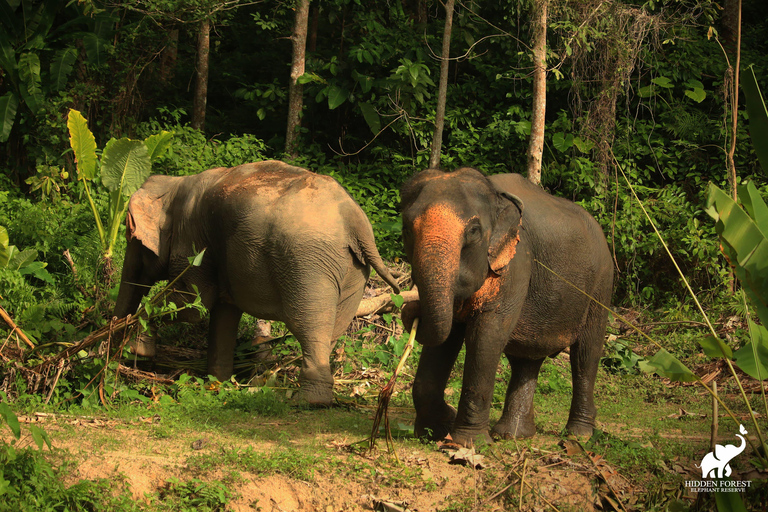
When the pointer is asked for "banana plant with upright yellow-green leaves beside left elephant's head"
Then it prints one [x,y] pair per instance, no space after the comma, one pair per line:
[124,165]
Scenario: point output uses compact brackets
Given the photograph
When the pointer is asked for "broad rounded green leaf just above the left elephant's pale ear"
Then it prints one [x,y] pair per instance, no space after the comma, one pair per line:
[125,165]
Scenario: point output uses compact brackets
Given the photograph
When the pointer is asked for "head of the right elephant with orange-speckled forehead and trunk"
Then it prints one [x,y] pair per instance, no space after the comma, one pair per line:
[460,234]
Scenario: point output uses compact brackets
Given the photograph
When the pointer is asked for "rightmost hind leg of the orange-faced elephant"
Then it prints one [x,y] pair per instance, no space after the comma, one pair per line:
[585,359]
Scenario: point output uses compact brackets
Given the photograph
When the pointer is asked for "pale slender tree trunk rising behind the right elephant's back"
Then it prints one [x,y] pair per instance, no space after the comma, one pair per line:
[536,144]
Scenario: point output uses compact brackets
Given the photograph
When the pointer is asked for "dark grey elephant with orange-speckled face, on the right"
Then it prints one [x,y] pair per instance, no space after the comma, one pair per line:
[473,260]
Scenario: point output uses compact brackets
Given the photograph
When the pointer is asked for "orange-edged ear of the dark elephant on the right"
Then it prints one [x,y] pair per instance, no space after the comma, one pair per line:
[506,232]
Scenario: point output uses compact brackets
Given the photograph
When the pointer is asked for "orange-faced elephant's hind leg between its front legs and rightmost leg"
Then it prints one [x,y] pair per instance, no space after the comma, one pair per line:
[517,420]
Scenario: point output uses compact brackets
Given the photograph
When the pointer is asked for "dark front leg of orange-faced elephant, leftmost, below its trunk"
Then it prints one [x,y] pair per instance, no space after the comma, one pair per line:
[434,417]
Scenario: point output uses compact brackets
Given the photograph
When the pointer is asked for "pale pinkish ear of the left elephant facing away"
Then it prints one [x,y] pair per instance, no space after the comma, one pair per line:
[148,214]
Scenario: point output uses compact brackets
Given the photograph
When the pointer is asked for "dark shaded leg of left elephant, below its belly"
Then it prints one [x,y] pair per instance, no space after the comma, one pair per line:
[222,337]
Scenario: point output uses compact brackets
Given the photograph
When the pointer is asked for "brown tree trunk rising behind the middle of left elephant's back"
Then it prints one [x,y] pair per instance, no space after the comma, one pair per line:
[295,100]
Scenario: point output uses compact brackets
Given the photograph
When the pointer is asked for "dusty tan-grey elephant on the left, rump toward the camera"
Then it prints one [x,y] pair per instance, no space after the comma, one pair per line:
[281,243]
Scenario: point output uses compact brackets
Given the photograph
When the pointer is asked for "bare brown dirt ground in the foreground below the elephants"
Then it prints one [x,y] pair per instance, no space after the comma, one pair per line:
[558,477]
